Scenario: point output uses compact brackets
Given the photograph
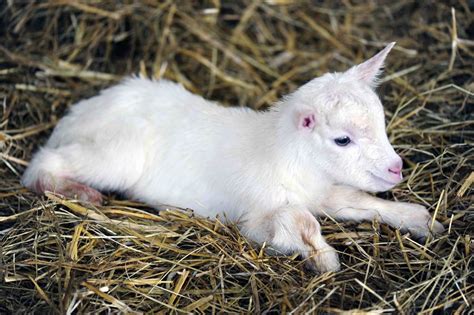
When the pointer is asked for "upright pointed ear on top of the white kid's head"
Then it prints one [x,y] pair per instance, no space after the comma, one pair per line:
[369,70]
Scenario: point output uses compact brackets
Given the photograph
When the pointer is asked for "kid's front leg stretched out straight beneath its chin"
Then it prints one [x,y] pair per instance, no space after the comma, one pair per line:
[348,203]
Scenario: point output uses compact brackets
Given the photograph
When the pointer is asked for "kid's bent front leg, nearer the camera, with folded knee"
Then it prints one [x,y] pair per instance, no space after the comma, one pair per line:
[290,230]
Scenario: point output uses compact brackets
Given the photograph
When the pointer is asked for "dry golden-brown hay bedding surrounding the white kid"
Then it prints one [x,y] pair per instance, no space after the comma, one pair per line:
[58,256]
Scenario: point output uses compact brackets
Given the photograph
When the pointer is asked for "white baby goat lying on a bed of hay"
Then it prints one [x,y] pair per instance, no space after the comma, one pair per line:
[313,153]
